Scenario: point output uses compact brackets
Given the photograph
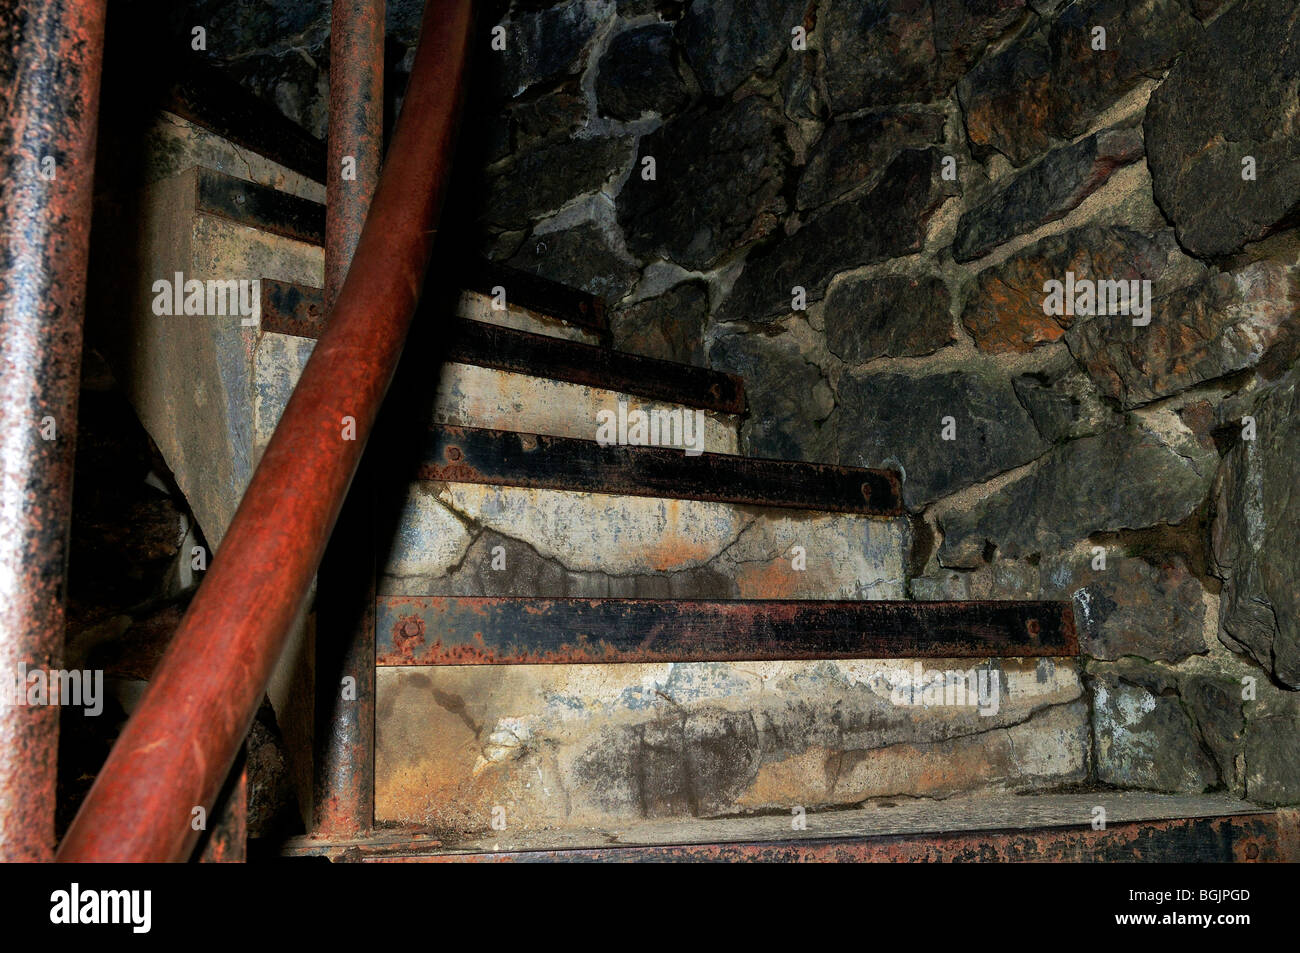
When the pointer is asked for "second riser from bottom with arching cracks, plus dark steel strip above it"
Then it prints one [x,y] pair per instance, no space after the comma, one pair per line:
[510,514]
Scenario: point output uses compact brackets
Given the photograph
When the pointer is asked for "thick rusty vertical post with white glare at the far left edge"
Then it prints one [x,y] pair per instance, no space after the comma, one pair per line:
[51,54]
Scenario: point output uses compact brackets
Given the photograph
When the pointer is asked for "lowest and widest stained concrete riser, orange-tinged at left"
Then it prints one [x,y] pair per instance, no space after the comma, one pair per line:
[573,746]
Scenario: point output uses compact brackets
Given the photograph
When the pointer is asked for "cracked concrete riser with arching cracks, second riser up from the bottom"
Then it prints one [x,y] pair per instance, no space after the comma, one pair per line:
[558,543]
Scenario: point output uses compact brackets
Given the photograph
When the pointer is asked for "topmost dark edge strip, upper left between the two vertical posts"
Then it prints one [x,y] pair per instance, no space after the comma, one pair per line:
[209,98]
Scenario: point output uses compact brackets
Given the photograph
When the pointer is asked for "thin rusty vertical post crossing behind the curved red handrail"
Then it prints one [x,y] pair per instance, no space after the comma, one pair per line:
[344,765]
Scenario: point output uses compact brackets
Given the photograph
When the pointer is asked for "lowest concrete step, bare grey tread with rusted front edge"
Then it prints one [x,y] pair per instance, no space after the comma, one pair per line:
[1008,829]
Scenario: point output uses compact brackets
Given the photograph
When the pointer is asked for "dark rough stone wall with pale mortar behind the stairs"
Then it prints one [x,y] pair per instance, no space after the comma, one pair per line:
[859,206]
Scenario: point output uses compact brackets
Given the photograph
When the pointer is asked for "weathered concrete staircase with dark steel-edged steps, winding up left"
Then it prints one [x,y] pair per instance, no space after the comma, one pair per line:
[583,646]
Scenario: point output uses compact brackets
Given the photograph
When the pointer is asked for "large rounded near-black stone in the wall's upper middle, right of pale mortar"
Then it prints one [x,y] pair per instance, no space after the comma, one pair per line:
[720,172]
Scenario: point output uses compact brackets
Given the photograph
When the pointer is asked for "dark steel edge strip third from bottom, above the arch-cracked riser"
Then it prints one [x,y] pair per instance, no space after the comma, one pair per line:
[505,458]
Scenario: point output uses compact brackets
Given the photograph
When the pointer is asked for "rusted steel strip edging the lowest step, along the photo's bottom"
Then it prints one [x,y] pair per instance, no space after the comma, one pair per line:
[1240,838]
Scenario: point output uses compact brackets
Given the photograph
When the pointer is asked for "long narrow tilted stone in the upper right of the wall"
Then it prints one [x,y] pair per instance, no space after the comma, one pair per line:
[1046,192]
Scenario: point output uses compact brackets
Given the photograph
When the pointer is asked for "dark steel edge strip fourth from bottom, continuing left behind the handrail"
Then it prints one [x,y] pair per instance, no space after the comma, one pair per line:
[298,310]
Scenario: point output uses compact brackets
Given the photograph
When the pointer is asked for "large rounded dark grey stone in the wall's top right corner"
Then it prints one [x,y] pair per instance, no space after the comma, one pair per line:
[1233,96]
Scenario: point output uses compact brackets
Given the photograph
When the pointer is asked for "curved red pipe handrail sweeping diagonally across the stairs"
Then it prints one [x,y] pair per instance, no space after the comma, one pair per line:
[177,750]
